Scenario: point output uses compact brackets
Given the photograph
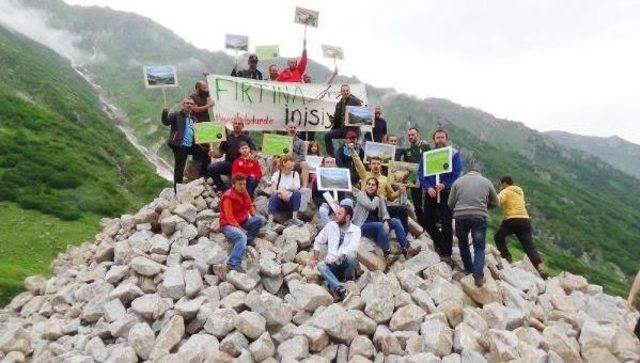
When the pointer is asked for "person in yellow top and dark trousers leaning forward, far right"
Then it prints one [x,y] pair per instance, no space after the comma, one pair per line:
[516,221]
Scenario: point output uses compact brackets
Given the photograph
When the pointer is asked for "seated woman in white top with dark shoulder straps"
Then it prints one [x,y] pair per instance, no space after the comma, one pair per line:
[285,190]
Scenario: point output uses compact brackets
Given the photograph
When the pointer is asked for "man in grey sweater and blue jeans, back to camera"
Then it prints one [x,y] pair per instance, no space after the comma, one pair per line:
[470,197]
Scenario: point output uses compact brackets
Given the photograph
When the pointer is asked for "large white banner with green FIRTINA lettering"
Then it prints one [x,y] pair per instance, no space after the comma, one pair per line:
[267,105]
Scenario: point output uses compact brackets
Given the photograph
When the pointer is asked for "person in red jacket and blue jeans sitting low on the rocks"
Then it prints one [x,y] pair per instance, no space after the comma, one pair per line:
[238,219]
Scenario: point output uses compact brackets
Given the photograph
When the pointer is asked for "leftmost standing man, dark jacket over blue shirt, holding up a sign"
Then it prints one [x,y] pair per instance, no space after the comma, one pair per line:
[182,137]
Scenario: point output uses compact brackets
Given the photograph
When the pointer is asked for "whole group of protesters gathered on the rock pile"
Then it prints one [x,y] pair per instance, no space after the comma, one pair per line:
[374,209]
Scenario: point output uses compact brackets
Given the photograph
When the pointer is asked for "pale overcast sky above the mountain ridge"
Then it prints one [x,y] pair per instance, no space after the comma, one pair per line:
[568,65]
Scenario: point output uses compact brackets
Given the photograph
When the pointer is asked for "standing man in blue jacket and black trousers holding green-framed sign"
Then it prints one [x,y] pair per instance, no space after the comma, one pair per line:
[435,211]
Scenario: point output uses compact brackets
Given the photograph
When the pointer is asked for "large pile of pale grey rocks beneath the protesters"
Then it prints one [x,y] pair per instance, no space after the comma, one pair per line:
[149,289]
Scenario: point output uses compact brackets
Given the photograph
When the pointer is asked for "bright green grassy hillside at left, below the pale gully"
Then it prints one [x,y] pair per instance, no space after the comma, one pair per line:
[62,160]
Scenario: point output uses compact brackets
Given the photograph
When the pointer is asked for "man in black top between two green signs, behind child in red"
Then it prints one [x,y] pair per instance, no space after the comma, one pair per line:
[231,148]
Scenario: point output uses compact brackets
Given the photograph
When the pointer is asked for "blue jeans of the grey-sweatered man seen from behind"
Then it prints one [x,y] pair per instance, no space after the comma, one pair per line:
[478,228]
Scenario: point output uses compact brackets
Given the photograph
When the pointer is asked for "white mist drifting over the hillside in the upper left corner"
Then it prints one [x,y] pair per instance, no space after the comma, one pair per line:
[33,24]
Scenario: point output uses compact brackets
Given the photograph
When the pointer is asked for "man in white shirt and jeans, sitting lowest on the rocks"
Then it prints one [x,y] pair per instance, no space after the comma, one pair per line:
[342,238]
